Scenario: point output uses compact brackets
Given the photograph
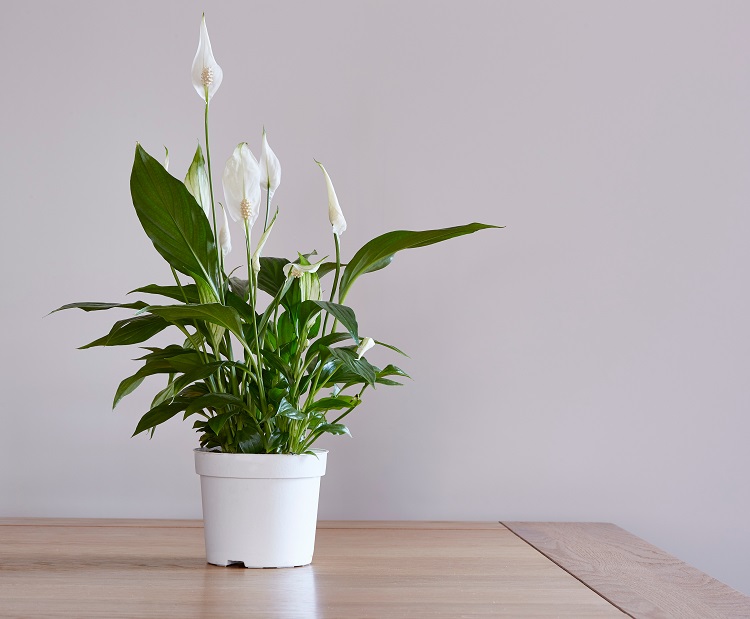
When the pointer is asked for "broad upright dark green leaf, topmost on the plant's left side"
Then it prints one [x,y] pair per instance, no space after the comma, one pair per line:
[173,220]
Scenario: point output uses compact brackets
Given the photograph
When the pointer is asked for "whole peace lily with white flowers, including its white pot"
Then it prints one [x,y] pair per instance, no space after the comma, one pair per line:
[262,377]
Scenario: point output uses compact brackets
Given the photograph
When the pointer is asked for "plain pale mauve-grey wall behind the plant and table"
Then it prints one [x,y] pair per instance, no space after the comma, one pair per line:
[589,362]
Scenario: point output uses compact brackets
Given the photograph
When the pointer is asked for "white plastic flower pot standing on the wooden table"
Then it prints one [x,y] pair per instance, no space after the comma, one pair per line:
[260,509]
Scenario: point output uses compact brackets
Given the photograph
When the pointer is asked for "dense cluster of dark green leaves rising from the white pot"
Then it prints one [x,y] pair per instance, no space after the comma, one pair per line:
[295,379]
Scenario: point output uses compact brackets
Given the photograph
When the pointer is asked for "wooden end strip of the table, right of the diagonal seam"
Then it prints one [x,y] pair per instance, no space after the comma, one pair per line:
[637,577]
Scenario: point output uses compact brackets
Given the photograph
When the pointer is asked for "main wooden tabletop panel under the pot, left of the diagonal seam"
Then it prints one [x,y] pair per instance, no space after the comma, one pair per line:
[66,569]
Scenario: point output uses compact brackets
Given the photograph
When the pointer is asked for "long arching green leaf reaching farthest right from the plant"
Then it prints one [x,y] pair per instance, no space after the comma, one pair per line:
[378,253]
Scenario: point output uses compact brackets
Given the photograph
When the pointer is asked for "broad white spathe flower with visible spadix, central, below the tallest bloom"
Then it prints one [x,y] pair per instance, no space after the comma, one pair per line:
[242,185]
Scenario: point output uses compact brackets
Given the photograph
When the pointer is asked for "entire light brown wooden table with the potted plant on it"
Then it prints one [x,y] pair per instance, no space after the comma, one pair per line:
[156,568]
